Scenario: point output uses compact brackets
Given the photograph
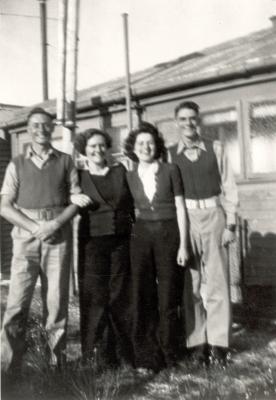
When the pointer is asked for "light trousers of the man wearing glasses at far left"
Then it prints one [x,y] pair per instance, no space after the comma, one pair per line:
[33,258]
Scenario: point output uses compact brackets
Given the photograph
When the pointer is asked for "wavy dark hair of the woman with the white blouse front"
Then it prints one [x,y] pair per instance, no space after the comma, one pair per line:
[145,127]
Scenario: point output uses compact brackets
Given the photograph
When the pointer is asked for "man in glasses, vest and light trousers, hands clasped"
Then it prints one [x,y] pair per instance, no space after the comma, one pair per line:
[35,199]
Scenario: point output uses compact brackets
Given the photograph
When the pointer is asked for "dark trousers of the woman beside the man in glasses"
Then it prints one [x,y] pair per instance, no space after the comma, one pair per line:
[104,279]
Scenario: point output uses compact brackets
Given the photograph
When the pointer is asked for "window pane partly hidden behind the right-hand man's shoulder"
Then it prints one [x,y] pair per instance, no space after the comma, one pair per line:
[222,125]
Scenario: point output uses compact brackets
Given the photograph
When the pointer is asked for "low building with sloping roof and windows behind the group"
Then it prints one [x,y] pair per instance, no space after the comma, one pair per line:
[235,85]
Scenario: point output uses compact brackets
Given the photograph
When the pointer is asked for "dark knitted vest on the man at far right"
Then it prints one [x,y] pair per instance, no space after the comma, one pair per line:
[201,178]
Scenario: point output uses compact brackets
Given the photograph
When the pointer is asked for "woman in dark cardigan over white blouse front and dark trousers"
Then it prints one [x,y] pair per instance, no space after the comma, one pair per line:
[158,247]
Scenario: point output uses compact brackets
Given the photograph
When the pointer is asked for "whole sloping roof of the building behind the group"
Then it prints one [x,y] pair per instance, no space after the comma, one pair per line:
[244,55]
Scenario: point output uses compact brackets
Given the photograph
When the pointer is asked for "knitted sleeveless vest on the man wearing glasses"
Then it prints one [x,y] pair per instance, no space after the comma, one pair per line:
[42,188]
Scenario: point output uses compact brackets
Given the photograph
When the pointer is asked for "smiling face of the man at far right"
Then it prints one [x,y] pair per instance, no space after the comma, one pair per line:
[187,121]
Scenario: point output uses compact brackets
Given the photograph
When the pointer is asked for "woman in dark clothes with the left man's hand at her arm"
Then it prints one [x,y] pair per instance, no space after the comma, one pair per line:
[104,270]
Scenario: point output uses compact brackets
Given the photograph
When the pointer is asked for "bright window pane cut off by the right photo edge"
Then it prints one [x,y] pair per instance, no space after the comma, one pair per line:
[263,137]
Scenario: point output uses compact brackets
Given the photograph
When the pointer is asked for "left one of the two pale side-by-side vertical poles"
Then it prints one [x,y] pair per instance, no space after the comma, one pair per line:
[62,16]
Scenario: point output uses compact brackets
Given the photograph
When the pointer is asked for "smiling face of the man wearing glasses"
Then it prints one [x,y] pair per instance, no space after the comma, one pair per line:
[40,128]
